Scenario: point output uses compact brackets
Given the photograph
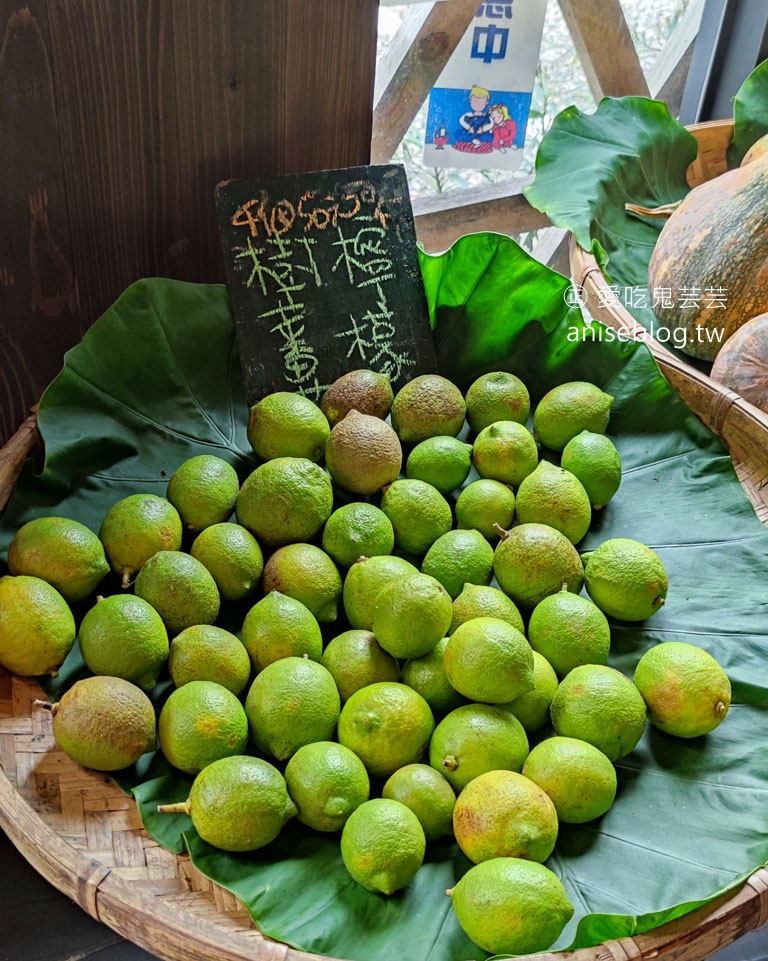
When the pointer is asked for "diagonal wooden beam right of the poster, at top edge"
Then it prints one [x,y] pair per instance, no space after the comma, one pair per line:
[605,48]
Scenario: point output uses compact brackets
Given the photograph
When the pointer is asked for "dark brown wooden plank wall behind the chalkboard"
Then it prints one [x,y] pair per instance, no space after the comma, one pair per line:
[117,119]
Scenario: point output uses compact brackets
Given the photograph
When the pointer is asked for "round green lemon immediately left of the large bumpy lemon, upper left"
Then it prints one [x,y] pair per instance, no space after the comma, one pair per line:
[203,490]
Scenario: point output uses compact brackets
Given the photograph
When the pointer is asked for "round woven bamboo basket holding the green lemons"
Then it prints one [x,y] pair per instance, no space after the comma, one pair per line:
[79,831]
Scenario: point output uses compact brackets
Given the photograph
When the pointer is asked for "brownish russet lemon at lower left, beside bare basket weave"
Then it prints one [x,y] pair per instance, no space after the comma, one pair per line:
[104,723]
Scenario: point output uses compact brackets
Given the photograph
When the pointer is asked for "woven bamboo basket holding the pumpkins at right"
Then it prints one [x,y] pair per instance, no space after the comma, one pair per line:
[741,425]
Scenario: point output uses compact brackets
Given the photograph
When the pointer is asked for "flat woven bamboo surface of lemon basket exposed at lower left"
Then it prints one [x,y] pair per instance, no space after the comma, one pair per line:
[101,824]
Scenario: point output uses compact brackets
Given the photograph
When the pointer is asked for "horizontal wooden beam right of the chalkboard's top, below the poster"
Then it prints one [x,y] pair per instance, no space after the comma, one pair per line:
[442,219]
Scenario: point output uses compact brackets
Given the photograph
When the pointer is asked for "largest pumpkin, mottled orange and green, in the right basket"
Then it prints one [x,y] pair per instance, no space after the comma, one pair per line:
[711,259]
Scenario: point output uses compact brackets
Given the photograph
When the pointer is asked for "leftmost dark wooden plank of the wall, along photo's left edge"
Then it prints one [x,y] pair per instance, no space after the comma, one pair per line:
[39,318]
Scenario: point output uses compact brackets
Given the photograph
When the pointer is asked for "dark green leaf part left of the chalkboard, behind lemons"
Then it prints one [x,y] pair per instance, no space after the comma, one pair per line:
[155,380]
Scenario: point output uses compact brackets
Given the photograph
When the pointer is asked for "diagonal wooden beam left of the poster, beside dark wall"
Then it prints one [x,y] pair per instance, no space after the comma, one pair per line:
[409,69]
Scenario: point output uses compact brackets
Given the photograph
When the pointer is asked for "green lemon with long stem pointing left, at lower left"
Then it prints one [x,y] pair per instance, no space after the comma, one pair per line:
[237,803]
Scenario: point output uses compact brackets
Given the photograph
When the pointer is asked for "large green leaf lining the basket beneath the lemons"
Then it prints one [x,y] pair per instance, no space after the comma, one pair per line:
[691,817]
